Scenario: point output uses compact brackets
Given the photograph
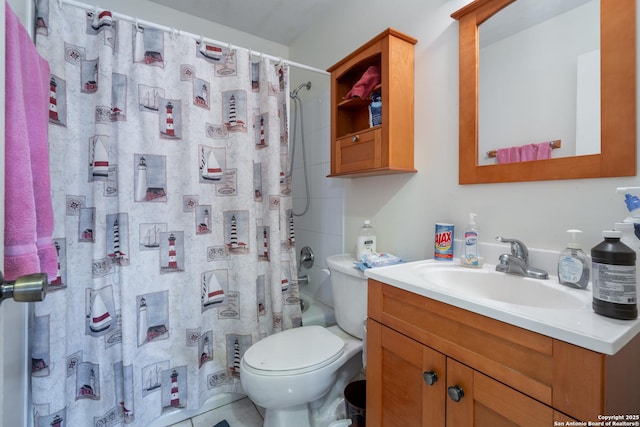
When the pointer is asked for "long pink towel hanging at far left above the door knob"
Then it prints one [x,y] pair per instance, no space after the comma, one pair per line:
[28,209]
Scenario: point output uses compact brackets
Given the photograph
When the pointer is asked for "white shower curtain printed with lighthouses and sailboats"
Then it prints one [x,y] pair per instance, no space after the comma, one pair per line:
[173,219]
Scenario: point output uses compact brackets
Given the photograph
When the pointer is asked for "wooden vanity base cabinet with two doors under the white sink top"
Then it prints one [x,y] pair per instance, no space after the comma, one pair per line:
[433,364]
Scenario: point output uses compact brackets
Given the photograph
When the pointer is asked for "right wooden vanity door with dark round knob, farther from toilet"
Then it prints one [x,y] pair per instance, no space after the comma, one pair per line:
[478,400]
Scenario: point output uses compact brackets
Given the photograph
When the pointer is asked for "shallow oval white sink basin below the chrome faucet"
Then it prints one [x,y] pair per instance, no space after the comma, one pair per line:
[508,288]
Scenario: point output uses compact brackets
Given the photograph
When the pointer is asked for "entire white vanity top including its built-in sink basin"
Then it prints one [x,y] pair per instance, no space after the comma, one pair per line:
[542,306]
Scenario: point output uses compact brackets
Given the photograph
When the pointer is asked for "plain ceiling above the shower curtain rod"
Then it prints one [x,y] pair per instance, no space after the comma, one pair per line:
[280,21]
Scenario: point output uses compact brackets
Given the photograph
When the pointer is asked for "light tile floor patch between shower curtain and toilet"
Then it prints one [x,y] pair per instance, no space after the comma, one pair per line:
[241,413]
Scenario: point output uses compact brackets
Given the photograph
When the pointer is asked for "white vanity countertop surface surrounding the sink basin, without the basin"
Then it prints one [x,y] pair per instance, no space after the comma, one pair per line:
[580,326]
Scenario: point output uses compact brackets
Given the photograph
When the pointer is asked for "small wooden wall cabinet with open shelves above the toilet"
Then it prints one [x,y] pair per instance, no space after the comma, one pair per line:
[357,148]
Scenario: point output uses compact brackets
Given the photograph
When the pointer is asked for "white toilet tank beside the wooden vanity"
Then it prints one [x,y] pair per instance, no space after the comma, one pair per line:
[349,288]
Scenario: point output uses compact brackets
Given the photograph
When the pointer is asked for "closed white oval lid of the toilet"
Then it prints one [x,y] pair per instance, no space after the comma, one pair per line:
[295,350]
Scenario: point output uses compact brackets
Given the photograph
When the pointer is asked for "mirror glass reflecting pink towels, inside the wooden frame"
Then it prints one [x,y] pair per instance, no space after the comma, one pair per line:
[539,81]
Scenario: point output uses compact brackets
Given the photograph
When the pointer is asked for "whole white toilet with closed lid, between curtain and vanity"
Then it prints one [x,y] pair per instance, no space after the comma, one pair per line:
[299,375]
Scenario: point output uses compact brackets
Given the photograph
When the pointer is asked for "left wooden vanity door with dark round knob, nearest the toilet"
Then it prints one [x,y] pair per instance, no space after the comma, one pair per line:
[405,380]
